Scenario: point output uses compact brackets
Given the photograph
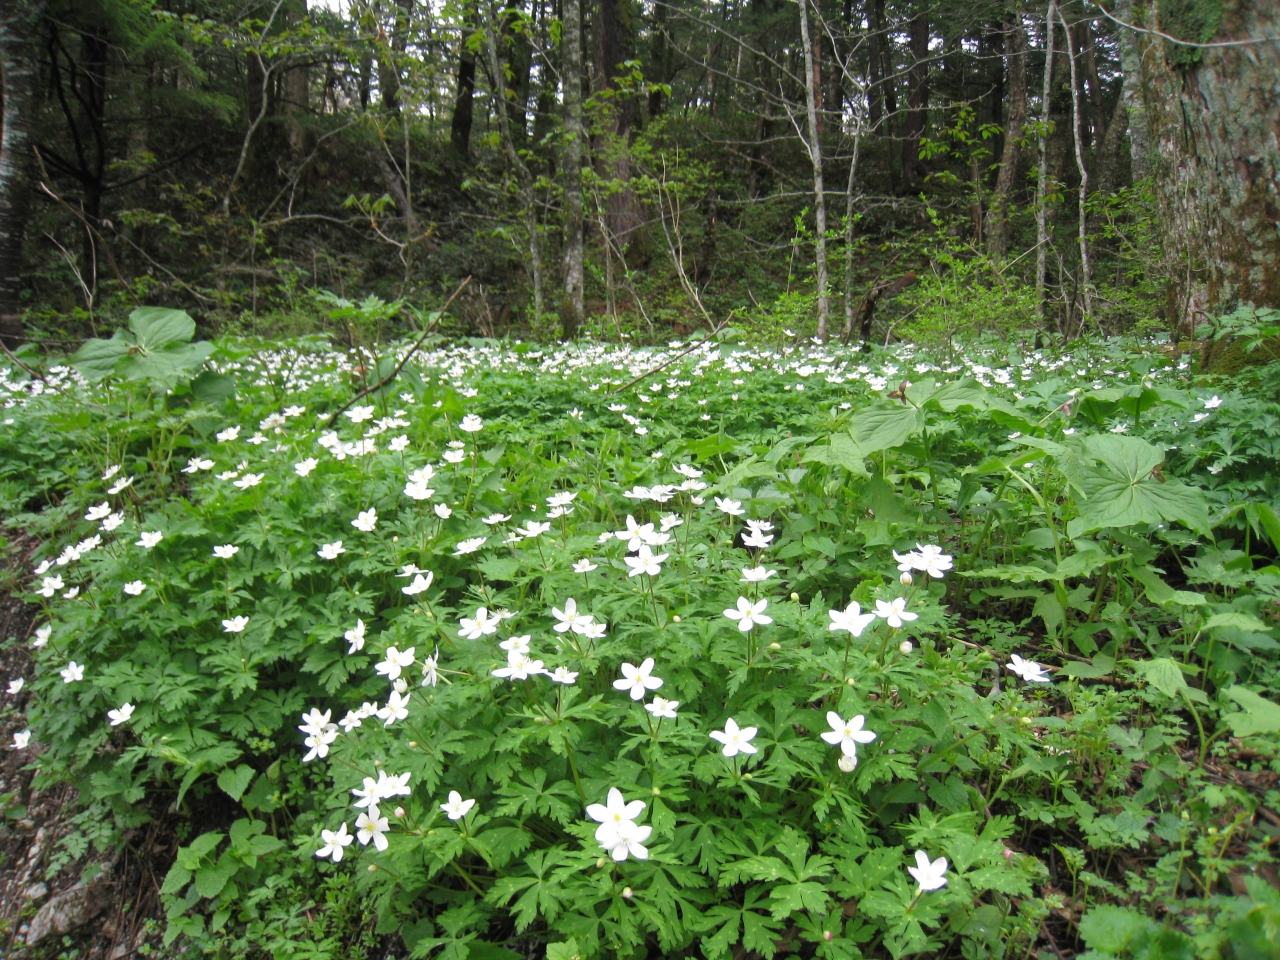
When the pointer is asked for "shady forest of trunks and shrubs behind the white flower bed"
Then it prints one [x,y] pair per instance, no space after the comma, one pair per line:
[842,168]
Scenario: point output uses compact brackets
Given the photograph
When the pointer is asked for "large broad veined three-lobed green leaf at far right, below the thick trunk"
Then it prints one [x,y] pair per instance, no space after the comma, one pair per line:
[1124,492]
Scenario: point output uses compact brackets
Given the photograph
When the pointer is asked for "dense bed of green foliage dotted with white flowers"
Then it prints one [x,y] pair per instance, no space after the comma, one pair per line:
[708,651]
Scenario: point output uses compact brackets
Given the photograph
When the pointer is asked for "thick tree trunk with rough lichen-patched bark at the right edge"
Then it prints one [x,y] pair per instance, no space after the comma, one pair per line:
[1212,115]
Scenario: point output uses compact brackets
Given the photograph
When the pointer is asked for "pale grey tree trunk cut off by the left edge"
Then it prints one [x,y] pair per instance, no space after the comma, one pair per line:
[17,76]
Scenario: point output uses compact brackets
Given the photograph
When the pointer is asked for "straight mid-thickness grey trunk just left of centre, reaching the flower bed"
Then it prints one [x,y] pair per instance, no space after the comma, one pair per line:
[573,313]
